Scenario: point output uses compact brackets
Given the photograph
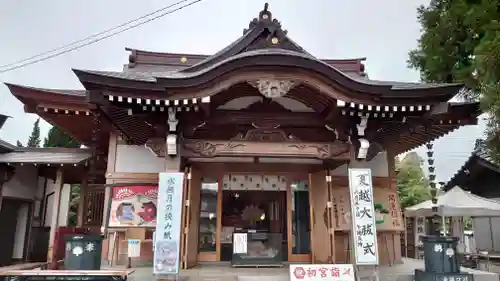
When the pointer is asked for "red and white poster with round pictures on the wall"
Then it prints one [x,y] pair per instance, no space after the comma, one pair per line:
[133,206]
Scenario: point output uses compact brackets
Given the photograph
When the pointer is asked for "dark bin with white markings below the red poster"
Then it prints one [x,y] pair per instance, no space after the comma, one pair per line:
[83,252]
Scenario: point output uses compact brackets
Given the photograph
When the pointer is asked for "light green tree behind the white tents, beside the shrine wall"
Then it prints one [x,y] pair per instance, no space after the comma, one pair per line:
[412,184]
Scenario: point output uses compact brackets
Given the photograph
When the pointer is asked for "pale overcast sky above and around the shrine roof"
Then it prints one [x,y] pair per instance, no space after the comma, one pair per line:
[382,31]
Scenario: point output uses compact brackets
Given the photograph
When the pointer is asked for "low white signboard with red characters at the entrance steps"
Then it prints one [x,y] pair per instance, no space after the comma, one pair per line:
[327,272]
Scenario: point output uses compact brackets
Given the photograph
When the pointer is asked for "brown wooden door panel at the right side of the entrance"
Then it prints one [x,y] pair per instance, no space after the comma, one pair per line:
[322,231]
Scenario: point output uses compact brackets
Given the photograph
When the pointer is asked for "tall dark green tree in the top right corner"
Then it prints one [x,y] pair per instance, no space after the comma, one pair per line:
[460,42]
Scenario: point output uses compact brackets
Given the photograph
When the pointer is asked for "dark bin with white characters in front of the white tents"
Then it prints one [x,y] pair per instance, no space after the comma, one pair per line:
[440,254]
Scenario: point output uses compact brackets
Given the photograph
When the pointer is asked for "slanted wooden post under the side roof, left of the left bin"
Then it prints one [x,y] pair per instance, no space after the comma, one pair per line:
[54,220]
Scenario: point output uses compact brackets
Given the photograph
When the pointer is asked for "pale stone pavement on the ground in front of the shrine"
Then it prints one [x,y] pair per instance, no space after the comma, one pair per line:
[224,272]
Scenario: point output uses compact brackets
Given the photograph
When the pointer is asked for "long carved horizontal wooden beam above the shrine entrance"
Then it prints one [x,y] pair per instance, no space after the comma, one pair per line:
[213,148]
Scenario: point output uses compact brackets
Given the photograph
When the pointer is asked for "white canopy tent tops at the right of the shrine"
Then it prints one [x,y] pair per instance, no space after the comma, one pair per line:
[457,203]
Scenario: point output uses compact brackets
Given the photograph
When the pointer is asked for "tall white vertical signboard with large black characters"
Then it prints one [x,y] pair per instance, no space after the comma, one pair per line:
[364,230]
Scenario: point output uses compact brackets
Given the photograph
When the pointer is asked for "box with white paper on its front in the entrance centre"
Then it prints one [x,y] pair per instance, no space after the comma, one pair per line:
[257,248]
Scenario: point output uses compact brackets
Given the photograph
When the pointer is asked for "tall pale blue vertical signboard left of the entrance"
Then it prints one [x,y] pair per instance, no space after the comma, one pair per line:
[168,226]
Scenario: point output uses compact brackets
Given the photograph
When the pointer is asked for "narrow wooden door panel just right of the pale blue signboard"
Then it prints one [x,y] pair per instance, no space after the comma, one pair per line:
[191,218]
